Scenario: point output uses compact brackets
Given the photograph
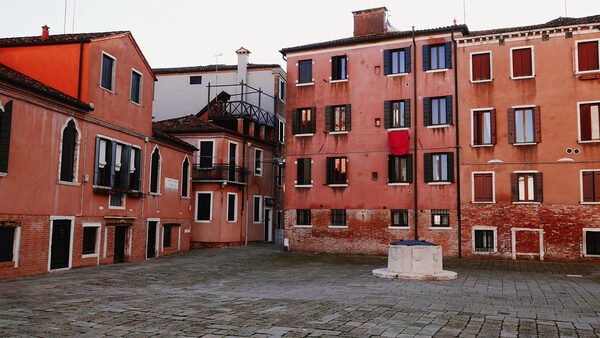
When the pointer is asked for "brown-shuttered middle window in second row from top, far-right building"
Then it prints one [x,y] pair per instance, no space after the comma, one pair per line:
[524,125]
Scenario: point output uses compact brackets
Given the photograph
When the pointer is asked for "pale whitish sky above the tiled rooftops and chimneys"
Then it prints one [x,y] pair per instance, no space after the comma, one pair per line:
[174,33]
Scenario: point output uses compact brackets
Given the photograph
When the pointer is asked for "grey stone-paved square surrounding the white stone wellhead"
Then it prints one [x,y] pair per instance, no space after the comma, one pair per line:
[261,292]
